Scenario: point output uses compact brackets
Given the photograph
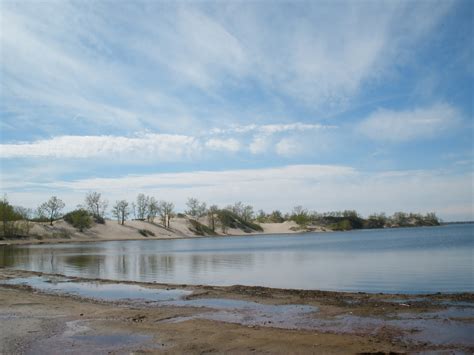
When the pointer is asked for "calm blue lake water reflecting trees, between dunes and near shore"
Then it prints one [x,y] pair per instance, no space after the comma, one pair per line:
[405,260]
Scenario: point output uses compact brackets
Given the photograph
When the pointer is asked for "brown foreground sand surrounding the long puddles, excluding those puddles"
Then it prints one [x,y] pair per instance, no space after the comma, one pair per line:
[34,322]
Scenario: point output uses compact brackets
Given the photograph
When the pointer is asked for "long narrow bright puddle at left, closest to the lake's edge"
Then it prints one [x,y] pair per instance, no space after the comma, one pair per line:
[99,291]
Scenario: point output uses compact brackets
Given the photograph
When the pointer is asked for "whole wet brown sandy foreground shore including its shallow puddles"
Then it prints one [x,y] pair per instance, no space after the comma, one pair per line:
[236,319]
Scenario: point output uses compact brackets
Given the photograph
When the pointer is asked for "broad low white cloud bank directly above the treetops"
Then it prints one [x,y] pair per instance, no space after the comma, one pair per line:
[317,187]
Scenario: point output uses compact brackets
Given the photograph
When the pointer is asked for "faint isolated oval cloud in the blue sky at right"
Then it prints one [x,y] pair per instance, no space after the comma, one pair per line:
[399,126]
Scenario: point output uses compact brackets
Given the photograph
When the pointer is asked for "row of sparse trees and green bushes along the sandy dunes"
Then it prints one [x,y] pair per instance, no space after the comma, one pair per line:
[17,221]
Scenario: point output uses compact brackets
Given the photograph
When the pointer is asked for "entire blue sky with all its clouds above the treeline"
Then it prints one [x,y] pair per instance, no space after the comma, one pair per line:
[333,105]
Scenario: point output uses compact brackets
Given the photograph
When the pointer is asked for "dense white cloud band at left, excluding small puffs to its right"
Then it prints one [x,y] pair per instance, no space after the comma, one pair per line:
[156,146]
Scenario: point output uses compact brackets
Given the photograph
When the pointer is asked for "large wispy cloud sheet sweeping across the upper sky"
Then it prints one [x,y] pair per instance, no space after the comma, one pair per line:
[172,61]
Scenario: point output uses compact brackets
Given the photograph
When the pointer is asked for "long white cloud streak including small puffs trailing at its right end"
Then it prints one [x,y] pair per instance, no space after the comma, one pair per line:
[156,146]
